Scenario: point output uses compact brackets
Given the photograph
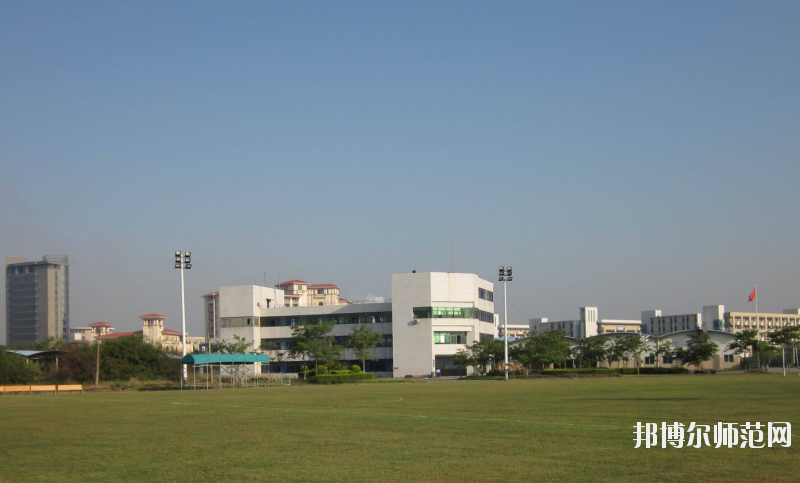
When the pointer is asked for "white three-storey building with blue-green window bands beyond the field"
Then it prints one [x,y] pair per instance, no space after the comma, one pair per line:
[429,318]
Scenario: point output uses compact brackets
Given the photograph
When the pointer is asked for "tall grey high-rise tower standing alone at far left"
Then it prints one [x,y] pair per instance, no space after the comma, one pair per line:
[37,299]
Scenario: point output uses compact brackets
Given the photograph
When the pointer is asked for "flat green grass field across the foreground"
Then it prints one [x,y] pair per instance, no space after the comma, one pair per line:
[526,430]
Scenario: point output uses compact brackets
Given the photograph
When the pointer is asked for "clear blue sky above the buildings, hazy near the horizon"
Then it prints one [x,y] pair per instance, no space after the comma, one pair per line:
[625,155]
